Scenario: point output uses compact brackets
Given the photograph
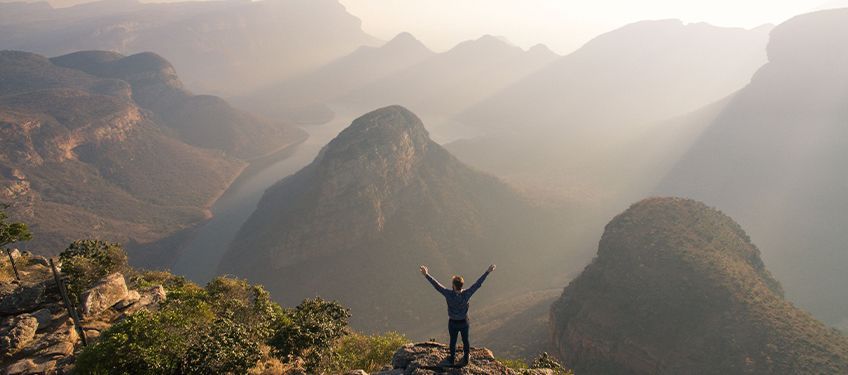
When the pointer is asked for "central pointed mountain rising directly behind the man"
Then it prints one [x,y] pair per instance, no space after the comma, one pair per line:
[379,200]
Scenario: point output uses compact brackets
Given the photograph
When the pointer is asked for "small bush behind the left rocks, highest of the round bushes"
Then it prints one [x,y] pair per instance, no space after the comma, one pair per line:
[87,261]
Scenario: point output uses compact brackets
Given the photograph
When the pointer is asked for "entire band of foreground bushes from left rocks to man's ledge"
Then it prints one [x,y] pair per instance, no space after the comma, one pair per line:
[227,327]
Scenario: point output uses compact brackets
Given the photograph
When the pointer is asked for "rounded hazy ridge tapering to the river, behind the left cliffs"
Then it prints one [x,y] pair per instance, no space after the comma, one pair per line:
[200,120]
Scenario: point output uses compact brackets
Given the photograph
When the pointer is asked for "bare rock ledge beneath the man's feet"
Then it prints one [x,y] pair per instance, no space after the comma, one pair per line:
[430,358]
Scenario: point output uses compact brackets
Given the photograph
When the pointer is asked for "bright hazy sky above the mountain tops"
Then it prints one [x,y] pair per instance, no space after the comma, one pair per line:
[563,25]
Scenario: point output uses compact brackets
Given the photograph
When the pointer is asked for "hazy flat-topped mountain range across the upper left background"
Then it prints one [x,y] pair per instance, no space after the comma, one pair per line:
[218,46]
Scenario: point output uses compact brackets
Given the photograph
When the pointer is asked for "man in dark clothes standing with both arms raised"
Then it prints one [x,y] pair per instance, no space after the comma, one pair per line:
[457,300]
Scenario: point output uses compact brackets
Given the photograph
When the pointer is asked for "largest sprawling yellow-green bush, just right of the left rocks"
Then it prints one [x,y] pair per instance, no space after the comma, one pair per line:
[196,331]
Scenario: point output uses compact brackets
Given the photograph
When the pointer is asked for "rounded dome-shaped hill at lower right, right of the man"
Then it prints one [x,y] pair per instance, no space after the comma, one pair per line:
[678,288]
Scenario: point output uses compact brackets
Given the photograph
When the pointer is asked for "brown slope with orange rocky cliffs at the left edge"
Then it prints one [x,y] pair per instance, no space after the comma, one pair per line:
[80,158]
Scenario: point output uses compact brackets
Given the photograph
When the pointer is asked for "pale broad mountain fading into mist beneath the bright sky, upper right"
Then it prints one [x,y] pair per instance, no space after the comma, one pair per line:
[641,73]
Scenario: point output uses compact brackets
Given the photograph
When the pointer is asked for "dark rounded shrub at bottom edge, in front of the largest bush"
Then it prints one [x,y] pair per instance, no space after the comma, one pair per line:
[225,348]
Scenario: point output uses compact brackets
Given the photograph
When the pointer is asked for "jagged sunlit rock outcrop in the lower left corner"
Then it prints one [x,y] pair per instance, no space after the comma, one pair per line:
[36,334]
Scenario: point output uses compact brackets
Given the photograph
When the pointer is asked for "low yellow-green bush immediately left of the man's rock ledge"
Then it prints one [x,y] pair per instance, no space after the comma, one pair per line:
[365,352]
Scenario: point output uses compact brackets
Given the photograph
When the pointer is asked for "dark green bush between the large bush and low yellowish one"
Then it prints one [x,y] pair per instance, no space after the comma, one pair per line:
[310,331]
